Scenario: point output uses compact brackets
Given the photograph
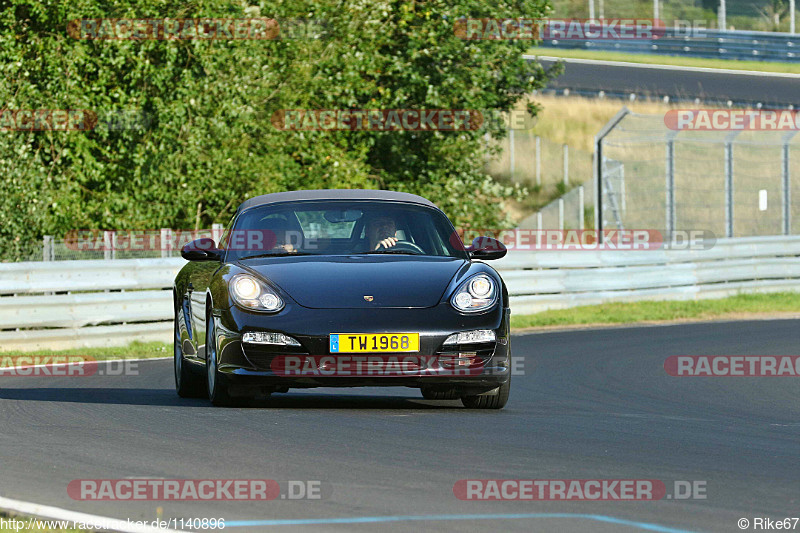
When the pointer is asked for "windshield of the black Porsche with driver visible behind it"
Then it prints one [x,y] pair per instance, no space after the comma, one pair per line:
[341,228]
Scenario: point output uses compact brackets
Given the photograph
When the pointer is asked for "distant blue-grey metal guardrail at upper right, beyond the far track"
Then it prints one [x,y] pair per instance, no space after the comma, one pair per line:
[705,43]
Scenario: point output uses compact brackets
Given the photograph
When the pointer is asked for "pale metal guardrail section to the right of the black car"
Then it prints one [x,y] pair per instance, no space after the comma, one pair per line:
[543,280]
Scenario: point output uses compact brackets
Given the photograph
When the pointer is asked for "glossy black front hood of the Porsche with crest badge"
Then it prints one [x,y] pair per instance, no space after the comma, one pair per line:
[347,282]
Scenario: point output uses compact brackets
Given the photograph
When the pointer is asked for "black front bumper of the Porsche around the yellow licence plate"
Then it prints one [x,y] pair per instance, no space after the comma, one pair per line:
[484,366]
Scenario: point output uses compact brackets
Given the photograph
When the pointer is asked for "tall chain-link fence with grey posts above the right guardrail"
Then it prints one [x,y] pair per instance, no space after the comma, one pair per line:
[734,183]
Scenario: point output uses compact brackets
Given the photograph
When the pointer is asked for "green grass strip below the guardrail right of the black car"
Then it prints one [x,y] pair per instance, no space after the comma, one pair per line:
[624,313]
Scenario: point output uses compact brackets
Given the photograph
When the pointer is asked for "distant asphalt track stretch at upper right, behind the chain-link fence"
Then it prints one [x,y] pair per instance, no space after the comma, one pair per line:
[678,82]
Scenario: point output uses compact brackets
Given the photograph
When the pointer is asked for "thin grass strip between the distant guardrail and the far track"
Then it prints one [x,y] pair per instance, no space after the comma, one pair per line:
[654,59]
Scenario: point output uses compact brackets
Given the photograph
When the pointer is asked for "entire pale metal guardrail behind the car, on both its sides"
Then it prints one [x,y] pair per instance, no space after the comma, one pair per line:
[43,306]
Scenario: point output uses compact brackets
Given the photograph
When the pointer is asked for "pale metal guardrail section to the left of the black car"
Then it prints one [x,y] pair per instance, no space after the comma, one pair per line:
[75,304]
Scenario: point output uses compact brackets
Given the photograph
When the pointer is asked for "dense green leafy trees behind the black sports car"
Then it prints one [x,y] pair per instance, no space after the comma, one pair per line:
[196,136]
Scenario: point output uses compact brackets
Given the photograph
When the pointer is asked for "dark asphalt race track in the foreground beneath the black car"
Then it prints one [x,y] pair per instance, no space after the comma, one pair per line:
[591,405]
